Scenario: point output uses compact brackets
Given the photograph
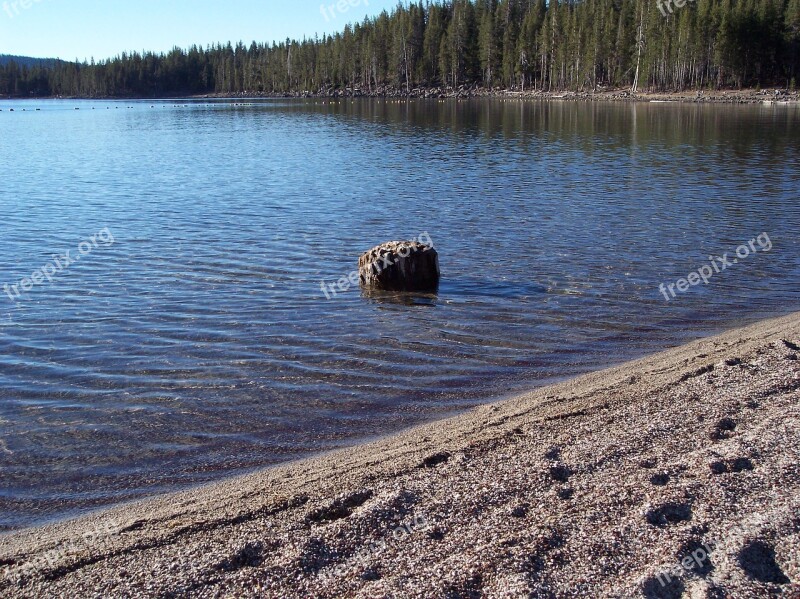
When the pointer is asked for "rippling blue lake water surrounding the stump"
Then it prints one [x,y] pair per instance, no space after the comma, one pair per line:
[192,340]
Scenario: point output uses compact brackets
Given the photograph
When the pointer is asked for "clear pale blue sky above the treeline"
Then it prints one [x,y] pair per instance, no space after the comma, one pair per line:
[81,29]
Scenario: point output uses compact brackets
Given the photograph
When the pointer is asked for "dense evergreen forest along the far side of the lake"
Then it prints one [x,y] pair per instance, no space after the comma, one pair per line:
[564,45]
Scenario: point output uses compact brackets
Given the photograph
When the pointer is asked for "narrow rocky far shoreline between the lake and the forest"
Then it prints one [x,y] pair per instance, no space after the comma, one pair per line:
[744,96]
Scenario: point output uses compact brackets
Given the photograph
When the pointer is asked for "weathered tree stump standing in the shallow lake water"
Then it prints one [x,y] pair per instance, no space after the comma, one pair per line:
[400,266]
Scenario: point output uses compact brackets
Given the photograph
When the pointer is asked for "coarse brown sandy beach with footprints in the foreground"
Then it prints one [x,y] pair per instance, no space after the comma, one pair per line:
[590,488]
